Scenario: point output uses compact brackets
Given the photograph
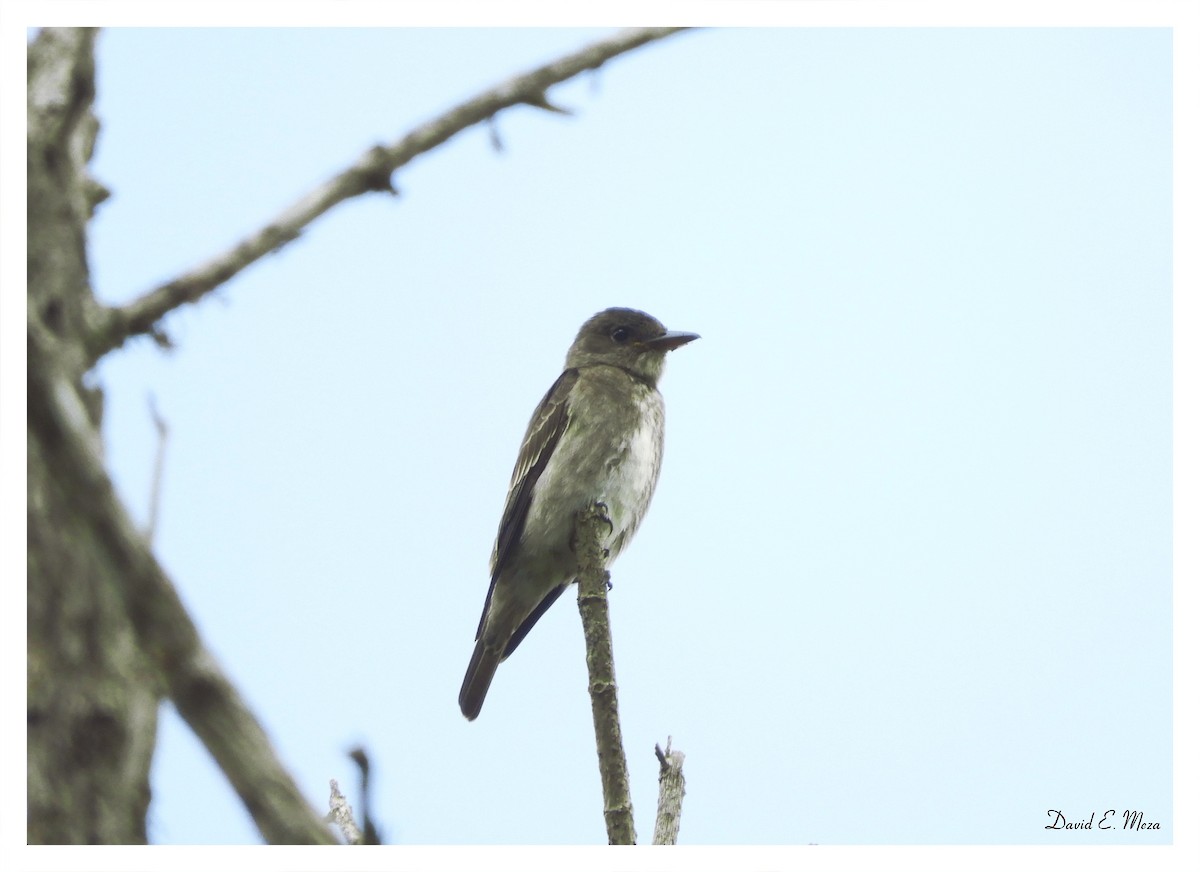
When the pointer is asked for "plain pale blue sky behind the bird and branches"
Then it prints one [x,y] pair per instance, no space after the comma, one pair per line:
[908,575]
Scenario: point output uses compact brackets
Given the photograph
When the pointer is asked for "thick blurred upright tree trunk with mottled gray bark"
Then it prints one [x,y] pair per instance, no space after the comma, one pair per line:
[93,700]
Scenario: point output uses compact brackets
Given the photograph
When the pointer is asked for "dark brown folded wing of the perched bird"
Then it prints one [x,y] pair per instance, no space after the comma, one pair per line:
[547,428]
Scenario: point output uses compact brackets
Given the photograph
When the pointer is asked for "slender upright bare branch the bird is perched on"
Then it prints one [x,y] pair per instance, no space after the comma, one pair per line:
[591,528]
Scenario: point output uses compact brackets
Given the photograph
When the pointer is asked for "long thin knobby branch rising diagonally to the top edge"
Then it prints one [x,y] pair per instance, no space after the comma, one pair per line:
[371,172]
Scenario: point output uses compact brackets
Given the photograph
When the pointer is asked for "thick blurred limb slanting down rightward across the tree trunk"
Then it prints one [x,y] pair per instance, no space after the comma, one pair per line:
[202,694]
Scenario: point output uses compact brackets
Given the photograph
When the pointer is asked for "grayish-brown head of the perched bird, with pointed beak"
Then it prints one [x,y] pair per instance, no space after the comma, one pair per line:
[628,339]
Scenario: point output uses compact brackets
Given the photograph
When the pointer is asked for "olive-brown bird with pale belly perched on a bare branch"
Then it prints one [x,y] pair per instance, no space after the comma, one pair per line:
[597,437]
